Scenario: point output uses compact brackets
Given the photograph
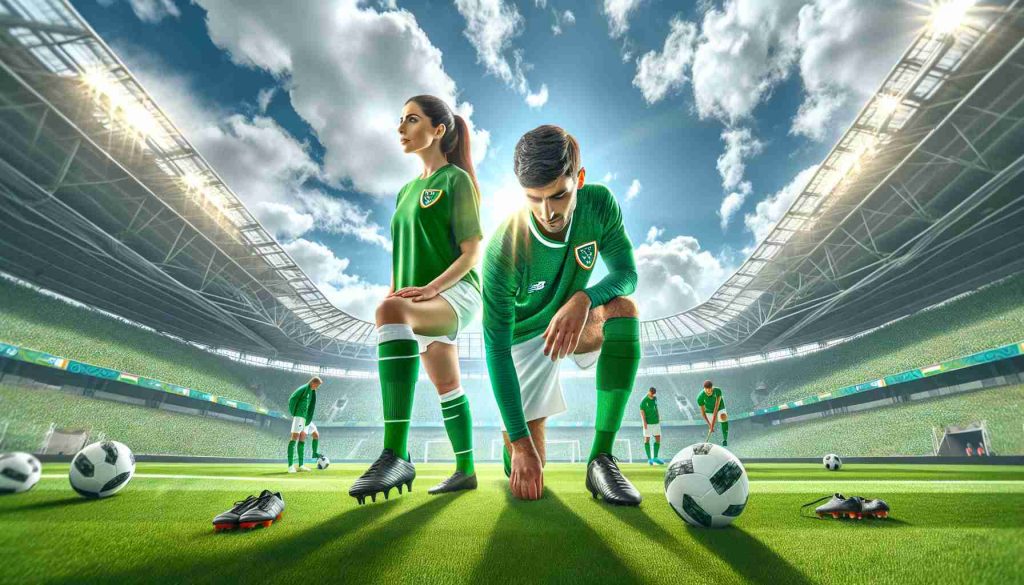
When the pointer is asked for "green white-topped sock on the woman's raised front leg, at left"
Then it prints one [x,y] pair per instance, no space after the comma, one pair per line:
[399,364]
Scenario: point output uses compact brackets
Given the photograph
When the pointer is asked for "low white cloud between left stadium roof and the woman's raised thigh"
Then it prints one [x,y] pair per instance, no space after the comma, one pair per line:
[328,272]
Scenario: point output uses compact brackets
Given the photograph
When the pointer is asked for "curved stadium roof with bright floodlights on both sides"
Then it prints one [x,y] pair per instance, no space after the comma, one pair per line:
[105,201]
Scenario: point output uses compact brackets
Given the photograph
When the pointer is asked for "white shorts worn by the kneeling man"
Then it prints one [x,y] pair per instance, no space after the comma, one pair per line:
[540,387]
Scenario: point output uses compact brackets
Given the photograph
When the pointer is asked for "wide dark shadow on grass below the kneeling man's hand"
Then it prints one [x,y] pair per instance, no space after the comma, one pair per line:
[546,542]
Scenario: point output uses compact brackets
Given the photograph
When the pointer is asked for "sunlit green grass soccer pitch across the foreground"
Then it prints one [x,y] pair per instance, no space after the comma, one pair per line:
[949,525]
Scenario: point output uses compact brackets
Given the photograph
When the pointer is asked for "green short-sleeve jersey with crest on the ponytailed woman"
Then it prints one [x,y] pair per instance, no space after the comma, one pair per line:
[433,217]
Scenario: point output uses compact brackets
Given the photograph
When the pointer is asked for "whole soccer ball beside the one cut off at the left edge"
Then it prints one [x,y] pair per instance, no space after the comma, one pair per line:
[102,470]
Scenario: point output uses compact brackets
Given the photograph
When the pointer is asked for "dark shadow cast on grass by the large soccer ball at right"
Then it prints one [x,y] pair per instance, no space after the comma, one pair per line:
[748,556]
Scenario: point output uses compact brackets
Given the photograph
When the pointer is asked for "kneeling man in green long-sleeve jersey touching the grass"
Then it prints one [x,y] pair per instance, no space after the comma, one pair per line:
[538,309]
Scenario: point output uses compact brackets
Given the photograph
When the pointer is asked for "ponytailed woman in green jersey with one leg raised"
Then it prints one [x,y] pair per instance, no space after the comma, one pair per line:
[436,294]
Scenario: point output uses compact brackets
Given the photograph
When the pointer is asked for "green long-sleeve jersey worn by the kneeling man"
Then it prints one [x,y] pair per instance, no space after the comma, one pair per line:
[529,277]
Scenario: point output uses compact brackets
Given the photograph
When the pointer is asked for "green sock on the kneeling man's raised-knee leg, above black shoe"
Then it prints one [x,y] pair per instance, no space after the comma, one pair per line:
[617,370]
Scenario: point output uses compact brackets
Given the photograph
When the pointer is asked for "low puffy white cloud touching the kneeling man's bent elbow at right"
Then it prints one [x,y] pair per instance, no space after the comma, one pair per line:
[675,275]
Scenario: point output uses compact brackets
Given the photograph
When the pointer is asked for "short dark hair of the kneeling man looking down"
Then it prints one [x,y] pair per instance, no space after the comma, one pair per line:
[545,154]
